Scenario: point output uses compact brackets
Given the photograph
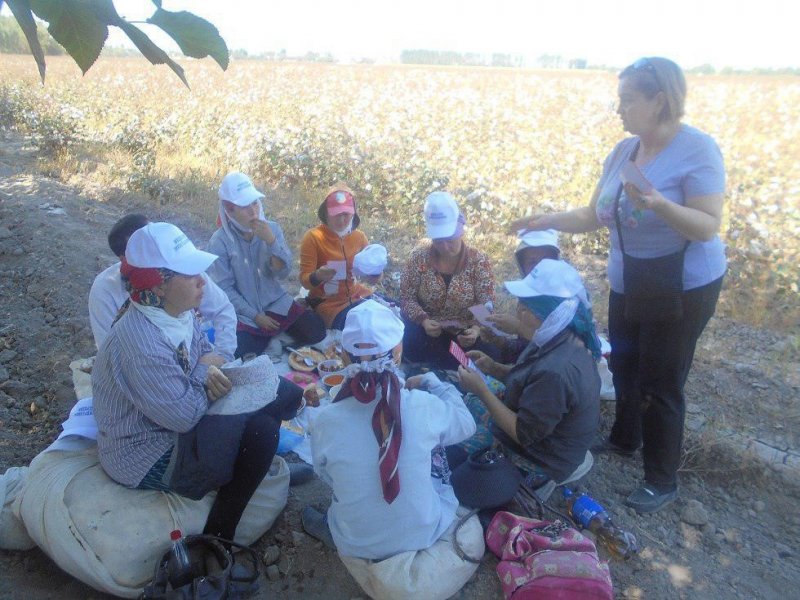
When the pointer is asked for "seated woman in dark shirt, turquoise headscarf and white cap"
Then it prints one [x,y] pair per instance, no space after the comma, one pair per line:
[548,417]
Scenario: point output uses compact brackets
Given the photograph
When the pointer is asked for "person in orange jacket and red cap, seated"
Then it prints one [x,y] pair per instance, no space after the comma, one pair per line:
[326,258]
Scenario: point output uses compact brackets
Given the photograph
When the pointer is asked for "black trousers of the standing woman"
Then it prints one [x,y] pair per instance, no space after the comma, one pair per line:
[650,363]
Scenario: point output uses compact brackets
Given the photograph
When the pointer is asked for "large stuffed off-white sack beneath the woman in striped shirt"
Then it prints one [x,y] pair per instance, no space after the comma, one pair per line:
[109,536]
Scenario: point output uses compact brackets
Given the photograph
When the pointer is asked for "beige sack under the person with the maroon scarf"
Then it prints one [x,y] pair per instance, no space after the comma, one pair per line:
[434,574]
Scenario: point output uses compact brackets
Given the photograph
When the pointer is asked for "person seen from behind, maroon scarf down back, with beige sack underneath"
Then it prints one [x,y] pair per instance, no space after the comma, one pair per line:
[373,446]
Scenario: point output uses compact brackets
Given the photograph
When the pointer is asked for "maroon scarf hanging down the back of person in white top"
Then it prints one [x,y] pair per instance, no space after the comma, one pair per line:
[386,422]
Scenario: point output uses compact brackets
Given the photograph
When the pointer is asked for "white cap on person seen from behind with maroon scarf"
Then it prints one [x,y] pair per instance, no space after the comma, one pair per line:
[371,328]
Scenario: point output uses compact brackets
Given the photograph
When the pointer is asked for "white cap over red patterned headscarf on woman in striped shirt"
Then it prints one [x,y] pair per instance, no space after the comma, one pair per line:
[164,246]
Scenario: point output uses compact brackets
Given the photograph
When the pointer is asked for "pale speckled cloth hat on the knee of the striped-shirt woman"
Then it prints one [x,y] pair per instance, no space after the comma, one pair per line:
[255,384]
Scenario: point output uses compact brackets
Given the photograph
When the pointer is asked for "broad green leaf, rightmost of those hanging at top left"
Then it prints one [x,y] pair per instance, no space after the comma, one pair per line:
[195,36]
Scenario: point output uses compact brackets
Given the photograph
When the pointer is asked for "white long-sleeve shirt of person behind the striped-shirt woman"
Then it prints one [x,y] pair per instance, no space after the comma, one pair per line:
[108,294]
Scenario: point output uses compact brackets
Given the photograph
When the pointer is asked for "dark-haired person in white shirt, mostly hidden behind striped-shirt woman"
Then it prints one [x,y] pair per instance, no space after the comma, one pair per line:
[108,294]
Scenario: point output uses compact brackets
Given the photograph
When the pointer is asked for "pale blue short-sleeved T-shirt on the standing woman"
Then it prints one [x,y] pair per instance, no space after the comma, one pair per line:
[690,166]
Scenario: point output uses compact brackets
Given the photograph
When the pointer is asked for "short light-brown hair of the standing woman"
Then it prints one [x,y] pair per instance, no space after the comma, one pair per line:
[654,74]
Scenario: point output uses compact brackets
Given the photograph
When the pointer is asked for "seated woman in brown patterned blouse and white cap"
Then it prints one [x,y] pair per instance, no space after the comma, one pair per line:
[440,282]
